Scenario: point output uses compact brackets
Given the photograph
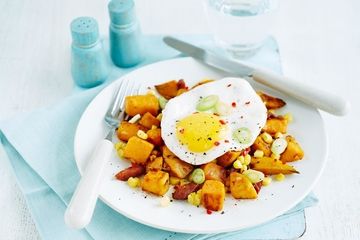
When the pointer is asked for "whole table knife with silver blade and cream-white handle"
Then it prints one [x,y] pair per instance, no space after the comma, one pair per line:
[317,98]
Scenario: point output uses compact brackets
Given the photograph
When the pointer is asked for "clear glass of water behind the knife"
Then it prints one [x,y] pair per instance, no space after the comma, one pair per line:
[240,26]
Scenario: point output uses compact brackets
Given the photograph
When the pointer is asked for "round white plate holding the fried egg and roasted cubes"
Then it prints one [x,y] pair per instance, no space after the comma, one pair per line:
[308,128]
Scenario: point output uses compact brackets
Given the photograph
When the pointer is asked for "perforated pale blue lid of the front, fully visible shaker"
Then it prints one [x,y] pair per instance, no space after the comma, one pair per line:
[84,31]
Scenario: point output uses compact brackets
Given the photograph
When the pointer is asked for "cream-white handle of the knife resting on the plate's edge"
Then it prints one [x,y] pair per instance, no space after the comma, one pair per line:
[317,98]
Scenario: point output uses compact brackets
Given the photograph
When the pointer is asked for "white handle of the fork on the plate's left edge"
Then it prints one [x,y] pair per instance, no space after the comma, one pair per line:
[81,208]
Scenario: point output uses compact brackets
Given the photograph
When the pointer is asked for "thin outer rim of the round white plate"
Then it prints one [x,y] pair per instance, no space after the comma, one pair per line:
[223,229]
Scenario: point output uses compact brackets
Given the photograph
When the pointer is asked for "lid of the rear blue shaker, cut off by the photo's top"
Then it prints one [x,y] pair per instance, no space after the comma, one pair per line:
[121,12]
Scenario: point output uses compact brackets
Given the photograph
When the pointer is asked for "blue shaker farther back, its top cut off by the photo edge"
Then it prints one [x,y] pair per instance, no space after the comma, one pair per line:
[125,34]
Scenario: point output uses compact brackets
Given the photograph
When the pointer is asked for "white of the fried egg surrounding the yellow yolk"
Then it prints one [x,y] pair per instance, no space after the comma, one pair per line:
[250,112]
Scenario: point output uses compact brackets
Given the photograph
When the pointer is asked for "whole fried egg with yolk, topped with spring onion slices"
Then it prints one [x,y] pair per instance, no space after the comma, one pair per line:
[198,131]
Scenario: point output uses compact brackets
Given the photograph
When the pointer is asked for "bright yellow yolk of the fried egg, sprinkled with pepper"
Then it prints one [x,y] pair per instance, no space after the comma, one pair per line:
[199,131]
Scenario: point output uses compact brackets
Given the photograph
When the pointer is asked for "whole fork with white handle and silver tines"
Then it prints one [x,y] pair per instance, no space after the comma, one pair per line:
[81,208]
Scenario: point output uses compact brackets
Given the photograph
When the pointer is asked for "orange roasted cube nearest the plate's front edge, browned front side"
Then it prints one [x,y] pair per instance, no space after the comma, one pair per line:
[213,195]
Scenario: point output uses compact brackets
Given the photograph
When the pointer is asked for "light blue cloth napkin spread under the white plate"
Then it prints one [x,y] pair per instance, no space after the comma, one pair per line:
[40,149]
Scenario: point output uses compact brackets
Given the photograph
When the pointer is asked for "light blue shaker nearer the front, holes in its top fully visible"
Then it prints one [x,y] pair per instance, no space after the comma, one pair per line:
[89,65]
